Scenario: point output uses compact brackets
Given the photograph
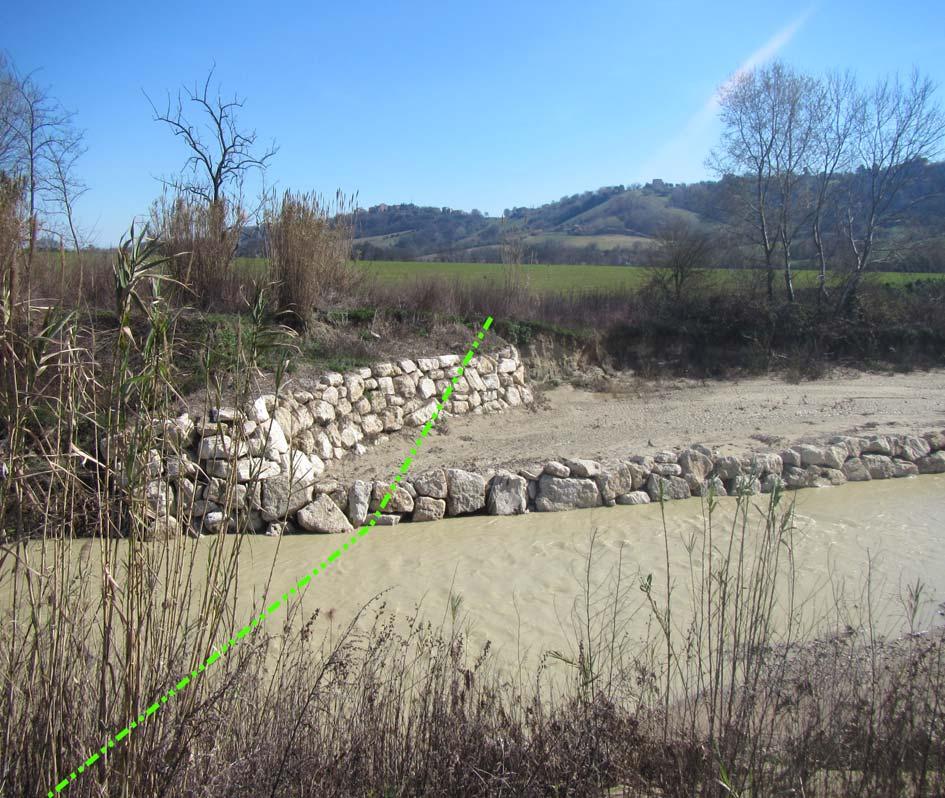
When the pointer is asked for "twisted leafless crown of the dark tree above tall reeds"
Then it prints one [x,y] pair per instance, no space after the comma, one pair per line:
[221,152]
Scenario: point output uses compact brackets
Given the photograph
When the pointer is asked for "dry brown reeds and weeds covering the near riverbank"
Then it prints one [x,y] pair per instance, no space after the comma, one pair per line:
[741,686]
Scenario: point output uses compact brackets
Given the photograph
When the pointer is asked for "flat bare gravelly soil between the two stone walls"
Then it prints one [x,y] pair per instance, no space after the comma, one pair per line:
[639,417]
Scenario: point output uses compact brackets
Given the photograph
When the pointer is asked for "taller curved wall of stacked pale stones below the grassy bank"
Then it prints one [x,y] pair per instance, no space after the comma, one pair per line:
[261,467]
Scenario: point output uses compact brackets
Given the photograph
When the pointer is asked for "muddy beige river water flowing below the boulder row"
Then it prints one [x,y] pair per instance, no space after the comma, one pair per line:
[520,577]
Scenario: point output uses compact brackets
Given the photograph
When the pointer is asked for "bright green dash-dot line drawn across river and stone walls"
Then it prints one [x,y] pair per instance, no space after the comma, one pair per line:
[363,530]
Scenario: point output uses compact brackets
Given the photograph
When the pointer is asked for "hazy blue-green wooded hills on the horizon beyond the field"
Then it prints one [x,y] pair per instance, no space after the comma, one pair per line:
[614,224]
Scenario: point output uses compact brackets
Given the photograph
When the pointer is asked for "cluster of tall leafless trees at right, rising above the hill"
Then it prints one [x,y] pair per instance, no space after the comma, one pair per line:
[826,157]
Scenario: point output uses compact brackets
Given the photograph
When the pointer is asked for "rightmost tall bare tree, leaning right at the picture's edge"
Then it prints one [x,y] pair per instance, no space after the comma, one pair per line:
[896,126]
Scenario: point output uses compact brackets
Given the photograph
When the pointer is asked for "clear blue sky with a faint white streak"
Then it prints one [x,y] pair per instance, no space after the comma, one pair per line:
[474,105]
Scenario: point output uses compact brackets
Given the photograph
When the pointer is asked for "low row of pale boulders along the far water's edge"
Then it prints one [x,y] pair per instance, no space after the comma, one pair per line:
[568,484]
